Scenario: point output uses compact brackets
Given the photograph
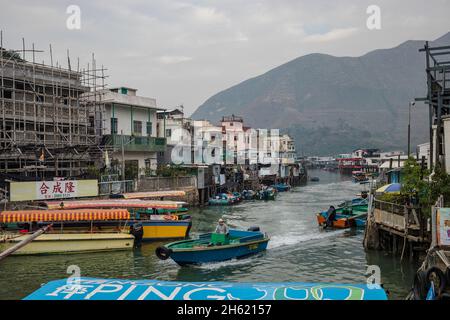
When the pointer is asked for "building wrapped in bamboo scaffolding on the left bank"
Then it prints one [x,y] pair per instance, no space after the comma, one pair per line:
[50,120]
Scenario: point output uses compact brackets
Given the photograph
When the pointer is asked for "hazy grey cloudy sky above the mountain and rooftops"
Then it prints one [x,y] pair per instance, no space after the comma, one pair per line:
[182,52]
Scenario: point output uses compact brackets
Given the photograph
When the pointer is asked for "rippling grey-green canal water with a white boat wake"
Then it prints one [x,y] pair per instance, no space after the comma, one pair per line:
[298,250]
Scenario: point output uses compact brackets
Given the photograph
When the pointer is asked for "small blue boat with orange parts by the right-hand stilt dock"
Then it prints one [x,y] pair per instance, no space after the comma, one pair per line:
[345,217]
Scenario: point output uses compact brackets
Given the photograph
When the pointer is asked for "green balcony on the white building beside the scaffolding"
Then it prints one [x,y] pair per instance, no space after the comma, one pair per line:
[136,143]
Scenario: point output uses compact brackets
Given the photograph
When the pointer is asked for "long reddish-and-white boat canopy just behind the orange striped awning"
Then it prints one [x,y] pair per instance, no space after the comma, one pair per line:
[113,203]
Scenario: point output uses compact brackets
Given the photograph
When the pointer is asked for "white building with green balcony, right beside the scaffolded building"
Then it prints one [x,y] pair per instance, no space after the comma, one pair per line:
[130,129]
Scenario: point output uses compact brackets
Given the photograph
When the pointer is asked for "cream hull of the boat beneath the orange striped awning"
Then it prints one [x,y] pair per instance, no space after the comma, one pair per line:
[71,243]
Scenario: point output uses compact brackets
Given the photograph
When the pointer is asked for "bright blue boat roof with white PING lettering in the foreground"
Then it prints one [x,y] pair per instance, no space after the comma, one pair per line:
[116,289]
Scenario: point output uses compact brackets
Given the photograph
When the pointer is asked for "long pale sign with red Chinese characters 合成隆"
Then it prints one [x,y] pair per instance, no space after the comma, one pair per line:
[48,190]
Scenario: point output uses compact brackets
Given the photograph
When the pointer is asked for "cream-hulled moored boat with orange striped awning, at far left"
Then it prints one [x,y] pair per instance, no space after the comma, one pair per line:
[62,240]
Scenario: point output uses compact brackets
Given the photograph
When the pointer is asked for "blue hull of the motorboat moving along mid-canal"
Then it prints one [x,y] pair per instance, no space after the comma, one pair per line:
[219,253]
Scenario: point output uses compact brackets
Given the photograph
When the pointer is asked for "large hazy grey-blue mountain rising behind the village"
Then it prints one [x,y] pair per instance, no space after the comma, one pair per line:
[335,104]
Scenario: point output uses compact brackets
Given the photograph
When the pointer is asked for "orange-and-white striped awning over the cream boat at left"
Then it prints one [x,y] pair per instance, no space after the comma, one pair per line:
[63,215]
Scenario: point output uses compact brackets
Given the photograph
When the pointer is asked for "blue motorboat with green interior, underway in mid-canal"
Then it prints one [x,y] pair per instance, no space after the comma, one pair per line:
[213,247]
